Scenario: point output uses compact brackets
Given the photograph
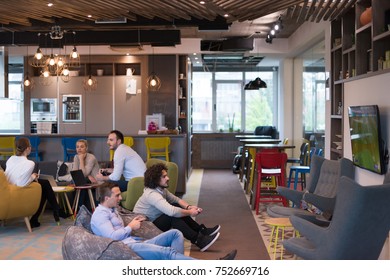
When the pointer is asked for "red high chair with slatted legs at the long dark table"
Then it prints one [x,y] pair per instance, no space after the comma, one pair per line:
[270,164]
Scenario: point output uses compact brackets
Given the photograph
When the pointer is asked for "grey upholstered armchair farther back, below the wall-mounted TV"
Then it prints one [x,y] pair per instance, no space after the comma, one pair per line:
[320,190]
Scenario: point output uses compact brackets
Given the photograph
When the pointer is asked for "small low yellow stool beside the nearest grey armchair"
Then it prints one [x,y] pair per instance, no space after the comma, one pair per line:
[278,224]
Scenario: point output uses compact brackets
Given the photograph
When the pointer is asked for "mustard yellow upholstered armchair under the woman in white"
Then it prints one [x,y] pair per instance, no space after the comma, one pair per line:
[18,201]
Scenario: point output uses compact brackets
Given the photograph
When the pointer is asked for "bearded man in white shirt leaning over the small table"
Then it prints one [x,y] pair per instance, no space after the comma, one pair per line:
[126,162]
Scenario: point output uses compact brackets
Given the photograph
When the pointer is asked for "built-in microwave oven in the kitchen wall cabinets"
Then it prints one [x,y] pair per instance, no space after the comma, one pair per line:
[43,109]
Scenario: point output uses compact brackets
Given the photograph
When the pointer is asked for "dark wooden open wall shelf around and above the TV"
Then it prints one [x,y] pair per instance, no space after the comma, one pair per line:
[355,55]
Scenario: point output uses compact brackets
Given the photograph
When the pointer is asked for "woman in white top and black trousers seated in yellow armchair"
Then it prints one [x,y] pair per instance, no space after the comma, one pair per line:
[19,171]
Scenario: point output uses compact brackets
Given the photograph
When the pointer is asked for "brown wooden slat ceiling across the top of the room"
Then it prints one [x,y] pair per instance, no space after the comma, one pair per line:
[35,15]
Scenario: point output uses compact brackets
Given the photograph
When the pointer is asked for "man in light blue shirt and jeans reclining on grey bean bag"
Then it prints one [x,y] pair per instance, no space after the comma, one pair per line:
[106,222]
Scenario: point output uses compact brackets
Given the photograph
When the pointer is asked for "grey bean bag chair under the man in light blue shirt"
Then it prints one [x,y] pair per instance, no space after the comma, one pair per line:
[80,243]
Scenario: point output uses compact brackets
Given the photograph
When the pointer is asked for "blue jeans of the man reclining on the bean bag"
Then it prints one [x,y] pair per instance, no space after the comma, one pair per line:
[168,245]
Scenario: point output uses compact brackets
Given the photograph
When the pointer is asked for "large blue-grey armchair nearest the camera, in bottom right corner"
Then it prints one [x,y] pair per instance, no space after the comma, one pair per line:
[358,230]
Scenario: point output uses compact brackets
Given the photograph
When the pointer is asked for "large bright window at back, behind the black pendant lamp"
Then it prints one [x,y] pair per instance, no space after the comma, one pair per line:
[220,103]
